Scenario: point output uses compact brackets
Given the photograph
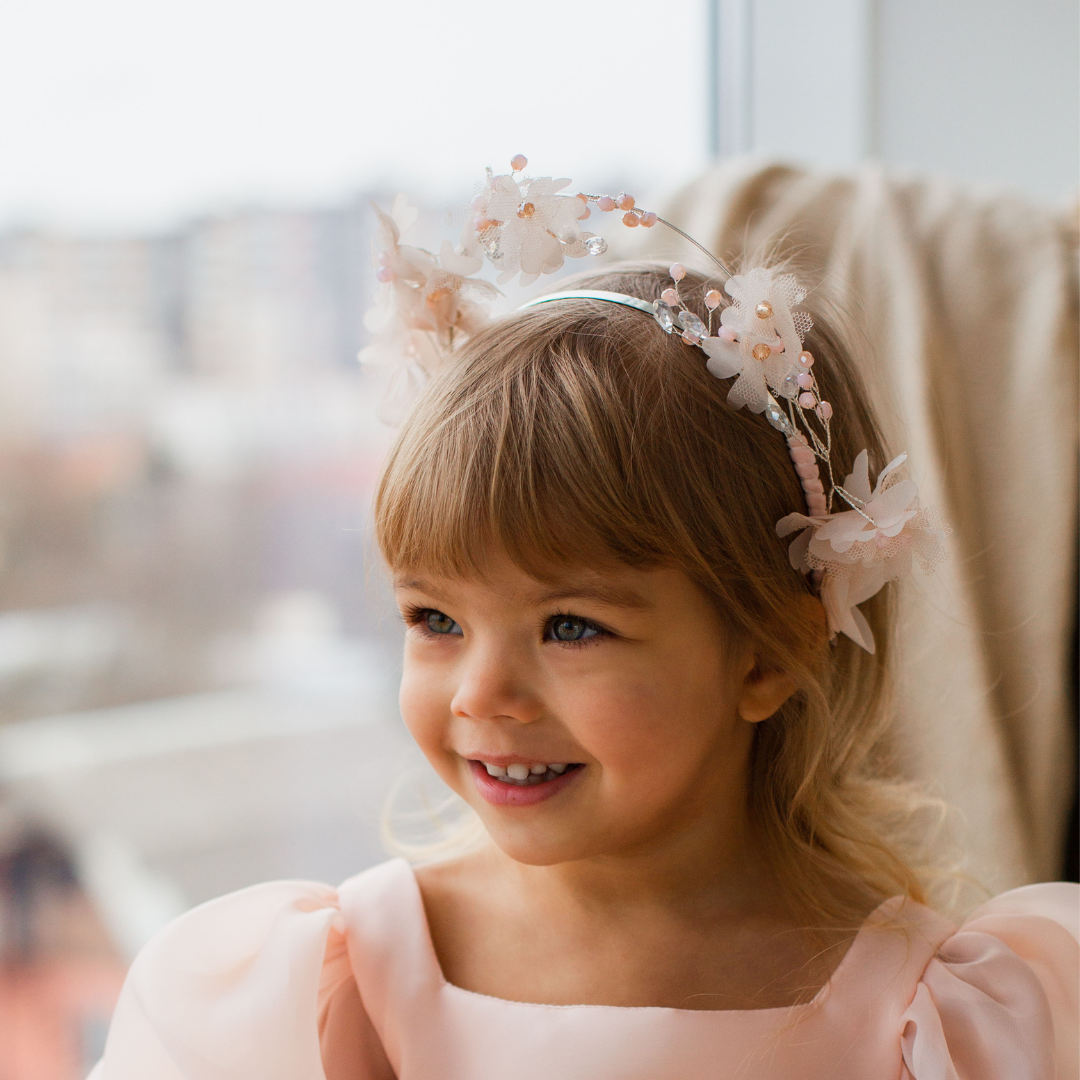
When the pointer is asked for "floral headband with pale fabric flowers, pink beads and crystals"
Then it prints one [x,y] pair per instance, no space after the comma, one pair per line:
[524,226]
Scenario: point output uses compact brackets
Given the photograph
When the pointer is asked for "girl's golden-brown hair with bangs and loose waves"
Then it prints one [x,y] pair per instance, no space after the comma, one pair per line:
[578,433]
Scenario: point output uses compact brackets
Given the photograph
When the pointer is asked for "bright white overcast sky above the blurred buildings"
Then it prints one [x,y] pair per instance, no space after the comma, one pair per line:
[136,114]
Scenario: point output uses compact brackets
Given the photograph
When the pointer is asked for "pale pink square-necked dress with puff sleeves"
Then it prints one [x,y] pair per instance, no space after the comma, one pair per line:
[295,981]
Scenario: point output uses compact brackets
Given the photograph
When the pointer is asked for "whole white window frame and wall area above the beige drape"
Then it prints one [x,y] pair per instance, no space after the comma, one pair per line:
[982,90]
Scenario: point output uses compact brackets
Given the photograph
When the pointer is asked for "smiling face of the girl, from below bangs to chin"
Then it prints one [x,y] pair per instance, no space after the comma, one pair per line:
[591,713]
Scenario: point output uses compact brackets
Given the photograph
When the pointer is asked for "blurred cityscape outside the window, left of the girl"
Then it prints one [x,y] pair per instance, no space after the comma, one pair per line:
[197,652]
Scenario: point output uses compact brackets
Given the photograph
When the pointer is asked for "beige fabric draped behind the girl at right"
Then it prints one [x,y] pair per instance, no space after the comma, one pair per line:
[969,306]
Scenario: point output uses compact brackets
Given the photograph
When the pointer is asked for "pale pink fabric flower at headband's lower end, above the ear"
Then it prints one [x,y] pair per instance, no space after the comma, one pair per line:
[859,550]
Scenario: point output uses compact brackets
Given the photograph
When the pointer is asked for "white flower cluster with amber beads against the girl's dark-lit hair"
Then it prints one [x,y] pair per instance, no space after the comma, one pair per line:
[761,339]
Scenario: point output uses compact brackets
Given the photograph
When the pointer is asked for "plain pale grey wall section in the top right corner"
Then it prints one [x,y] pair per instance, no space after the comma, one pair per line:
[982,89]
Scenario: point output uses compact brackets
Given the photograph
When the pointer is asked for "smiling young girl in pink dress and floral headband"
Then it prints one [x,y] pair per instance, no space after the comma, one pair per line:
[668,720]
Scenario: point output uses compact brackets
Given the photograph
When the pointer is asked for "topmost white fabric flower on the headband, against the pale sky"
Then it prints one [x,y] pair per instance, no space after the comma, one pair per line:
[528,228]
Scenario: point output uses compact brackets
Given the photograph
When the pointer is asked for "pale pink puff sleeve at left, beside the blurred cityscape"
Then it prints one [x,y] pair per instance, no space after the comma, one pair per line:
[245,987]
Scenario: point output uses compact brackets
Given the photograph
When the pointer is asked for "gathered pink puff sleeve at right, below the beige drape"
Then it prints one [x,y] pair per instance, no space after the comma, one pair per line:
[1000,1001]
